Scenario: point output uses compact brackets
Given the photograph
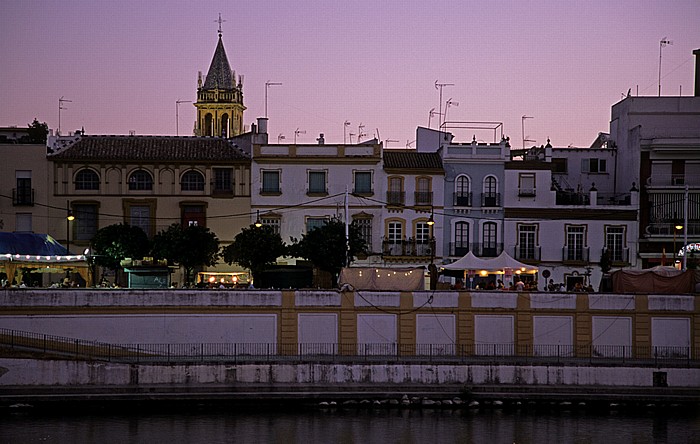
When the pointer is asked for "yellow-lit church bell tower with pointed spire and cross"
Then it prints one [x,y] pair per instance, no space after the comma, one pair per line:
[219,98]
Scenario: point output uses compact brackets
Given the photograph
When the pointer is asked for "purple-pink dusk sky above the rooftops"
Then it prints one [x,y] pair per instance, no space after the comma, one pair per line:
[564,63]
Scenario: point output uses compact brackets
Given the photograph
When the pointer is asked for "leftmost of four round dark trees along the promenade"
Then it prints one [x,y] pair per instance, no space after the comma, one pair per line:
[113,243]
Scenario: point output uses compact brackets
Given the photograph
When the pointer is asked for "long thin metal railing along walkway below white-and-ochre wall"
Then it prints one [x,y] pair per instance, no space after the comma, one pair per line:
[348,352]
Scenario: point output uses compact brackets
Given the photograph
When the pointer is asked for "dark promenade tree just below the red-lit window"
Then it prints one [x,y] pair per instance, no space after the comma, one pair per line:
[190,247]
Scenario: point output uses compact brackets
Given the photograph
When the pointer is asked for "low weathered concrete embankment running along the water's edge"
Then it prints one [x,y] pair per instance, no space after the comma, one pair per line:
[32,381]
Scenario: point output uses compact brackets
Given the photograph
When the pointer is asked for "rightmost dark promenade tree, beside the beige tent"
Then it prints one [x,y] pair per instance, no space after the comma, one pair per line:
[325,246]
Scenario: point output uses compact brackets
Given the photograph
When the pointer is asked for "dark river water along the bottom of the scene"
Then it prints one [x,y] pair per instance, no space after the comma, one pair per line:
[350,426]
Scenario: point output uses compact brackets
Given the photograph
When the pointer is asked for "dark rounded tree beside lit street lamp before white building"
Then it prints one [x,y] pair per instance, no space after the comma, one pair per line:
[255,248]
